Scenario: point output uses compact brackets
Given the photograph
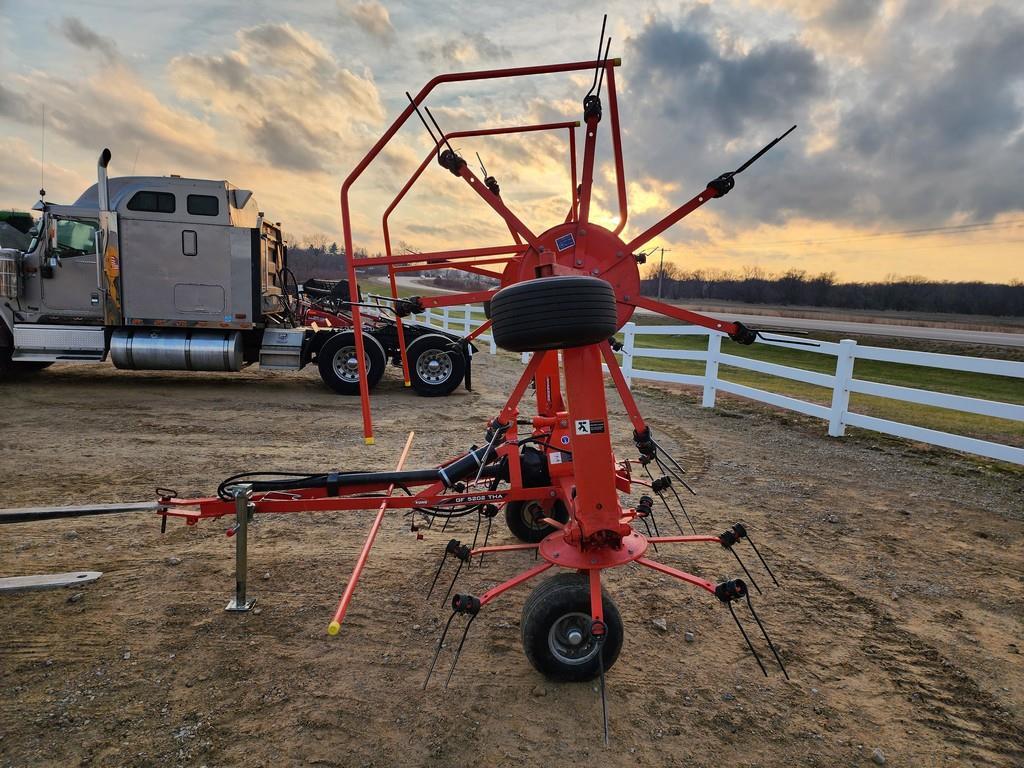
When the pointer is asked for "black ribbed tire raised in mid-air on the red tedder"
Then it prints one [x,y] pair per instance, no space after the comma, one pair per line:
[554,313]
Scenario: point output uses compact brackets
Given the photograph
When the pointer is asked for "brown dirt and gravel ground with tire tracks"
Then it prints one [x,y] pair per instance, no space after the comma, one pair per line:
[900,614]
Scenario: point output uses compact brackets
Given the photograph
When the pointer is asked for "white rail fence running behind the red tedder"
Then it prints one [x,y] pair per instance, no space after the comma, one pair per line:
[842,382]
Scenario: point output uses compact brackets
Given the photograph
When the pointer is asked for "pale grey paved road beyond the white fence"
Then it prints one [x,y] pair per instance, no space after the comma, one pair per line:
[1004,339]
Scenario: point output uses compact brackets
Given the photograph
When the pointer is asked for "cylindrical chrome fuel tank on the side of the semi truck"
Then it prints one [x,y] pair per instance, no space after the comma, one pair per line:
[177,350]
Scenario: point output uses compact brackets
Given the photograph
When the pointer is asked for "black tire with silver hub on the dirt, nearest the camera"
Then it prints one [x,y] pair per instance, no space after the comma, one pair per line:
[560,604]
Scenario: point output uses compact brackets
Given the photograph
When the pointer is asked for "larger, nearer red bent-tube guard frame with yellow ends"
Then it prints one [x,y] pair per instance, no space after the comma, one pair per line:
[347,223]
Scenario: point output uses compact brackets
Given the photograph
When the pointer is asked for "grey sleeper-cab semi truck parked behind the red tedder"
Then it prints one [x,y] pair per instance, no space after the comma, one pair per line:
[172,274]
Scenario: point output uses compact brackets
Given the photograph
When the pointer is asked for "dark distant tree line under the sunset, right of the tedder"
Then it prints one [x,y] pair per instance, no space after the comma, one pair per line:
[754,286]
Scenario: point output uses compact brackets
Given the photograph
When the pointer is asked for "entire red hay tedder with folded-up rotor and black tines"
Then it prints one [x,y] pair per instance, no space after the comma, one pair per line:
[565,294]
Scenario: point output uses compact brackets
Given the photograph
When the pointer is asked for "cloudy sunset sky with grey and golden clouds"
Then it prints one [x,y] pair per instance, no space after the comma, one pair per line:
[909,158]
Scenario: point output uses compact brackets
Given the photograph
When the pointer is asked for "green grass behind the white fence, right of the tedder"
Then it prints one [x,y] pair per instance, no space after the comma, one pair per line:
[999,389]
